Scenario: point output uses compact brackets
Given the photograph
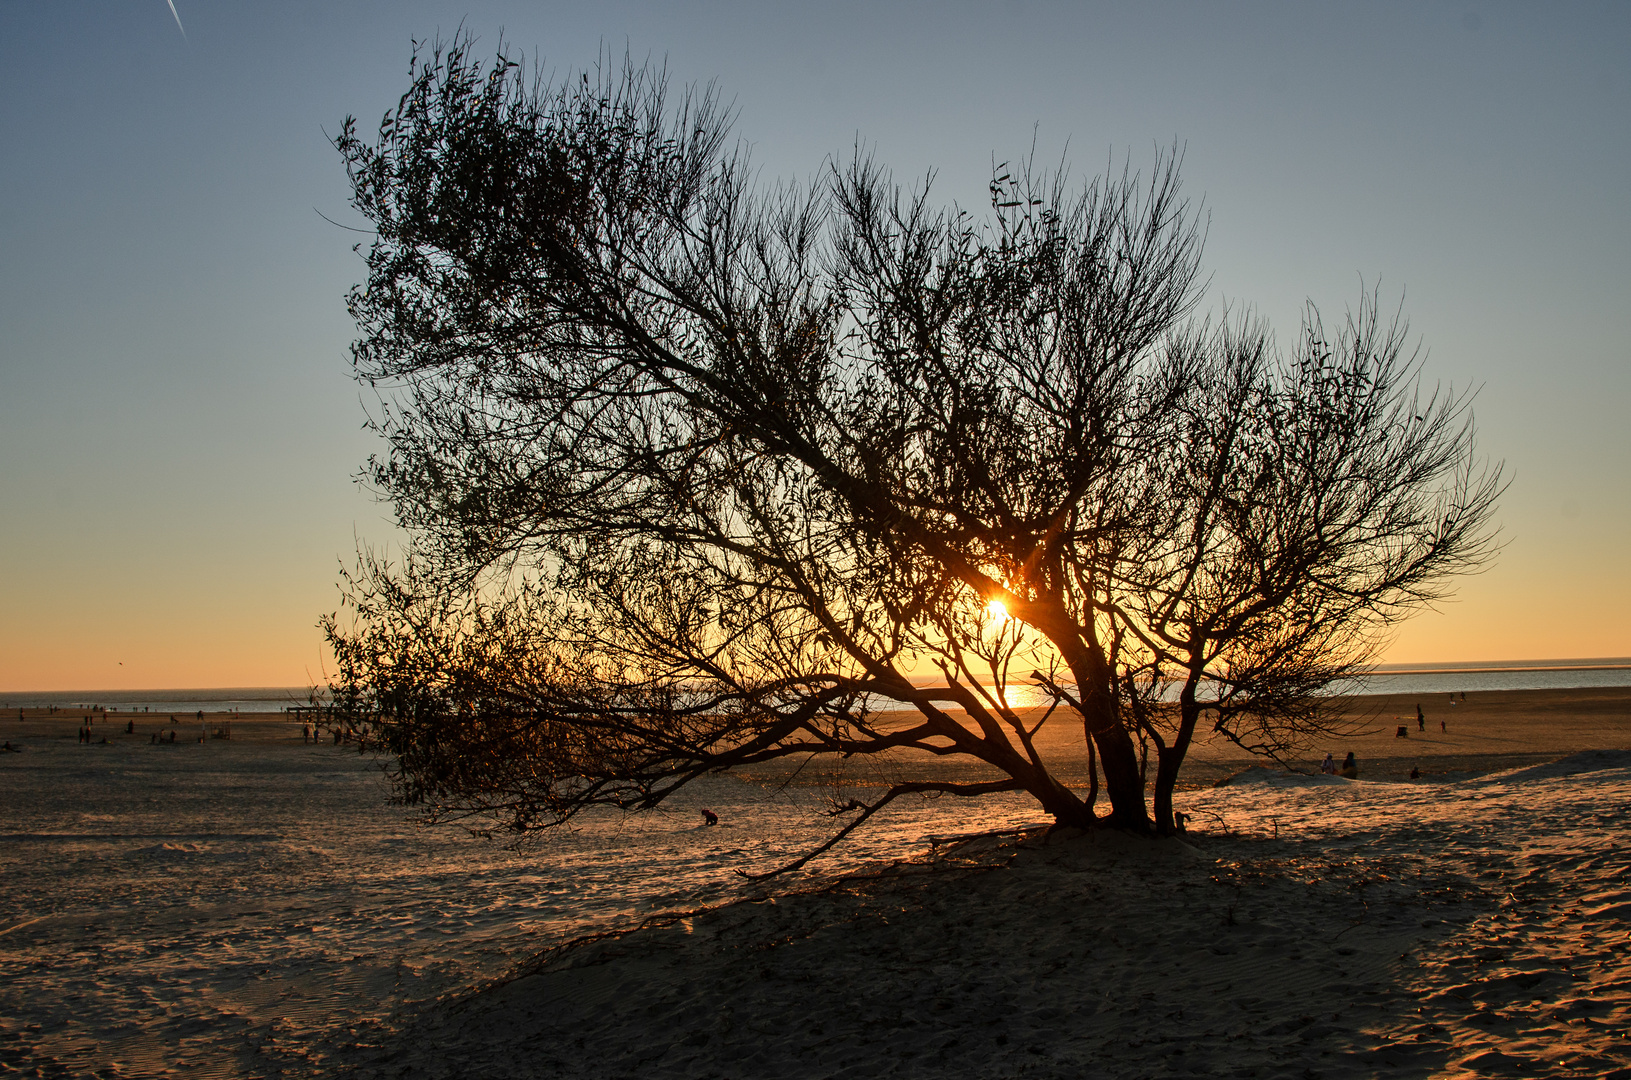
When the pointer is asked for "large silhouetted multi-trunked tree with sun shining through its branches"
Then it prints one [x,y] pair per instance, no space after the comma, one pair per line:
[704,476]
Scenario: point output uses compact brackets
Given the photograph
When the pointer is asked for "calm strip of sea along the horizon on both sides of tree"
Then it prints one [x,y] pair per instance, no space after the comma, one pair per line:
[1425,679]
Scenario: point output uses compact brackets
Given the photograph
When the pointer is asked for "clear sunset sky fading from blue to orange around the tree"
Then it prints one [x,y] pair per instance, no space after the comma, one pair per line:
[179,432]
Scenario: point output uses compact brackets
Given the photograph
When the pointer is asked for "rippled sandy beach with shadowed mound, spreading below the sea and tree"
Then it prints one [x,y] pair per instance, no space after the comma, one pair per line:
[250,908]
